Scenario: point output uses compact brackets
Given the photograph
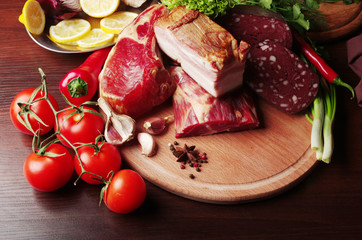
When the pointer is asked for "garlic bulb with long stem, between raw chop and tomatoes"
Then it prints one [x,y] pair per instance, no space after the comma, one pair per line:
[119,128]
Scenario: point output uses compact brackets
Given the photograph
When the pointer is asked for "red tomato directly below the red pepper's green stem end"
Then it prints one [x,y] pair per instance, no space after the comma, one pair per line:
[78,129]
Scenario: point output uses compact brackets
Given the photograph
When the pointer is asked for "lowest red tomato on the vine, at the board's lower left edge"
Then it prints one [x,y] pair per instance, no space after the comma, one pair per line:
[126,192]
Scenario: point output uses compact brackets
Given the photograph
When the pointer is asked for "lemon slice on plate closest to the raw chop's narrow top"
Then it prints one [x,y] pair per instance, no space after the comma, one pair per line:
[117,21]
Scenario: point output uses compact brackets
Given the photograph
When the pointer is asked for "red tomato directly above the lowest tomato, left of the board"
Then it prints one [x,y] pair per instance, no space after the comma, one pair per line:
[97,160]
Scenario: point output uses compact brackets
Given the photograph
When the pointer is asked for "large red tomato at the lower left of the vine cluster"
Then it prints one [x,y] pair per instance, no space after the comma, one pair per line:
[47,173]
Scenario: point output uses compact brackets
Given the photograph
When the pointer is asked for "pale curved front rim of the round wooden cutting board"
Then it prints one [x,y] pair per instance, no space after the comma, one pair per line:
[230,194]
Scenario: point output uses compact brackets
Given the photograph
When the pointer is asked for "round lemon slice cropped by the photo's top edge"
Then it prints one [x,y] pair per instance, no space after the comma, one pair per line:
[99,8]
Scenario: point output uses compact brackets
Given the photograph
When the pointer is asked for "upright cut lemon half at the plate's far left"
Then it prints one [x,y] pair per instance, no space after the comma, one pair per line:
[33,17]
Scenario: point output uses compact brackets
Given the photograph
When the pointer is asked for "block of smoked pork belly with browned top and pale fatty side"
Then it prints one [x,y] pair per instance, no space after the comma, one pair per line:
[206,51]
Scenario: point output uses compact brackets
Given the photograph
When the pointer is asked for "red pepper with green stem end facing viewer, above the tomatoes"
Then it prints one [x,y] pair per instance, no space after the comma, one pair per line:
[80,84]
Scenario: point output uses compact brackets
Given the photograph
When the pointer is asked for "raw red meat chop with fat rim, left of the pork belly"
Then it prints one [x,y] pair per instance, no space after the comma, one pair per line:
[133,79]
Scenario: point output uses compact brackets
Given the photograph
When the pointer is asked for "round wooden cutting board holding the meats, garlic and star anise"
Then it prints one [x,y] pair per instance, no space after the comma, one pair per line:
[242,166]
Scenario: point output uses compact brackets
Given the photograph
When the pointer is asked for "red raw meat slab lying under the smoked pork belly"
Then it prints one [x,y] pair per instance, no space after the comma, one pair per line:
[199,113]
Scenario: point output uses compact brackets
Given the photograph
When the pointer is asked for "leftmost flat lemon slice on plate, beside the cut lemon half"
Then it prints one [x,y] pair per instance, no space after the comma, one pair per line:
[69,30]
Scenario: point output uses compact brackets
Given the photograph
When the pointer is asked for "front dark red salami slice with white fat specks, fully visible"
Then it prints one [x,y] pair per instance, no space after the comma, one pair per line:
[279,76]
